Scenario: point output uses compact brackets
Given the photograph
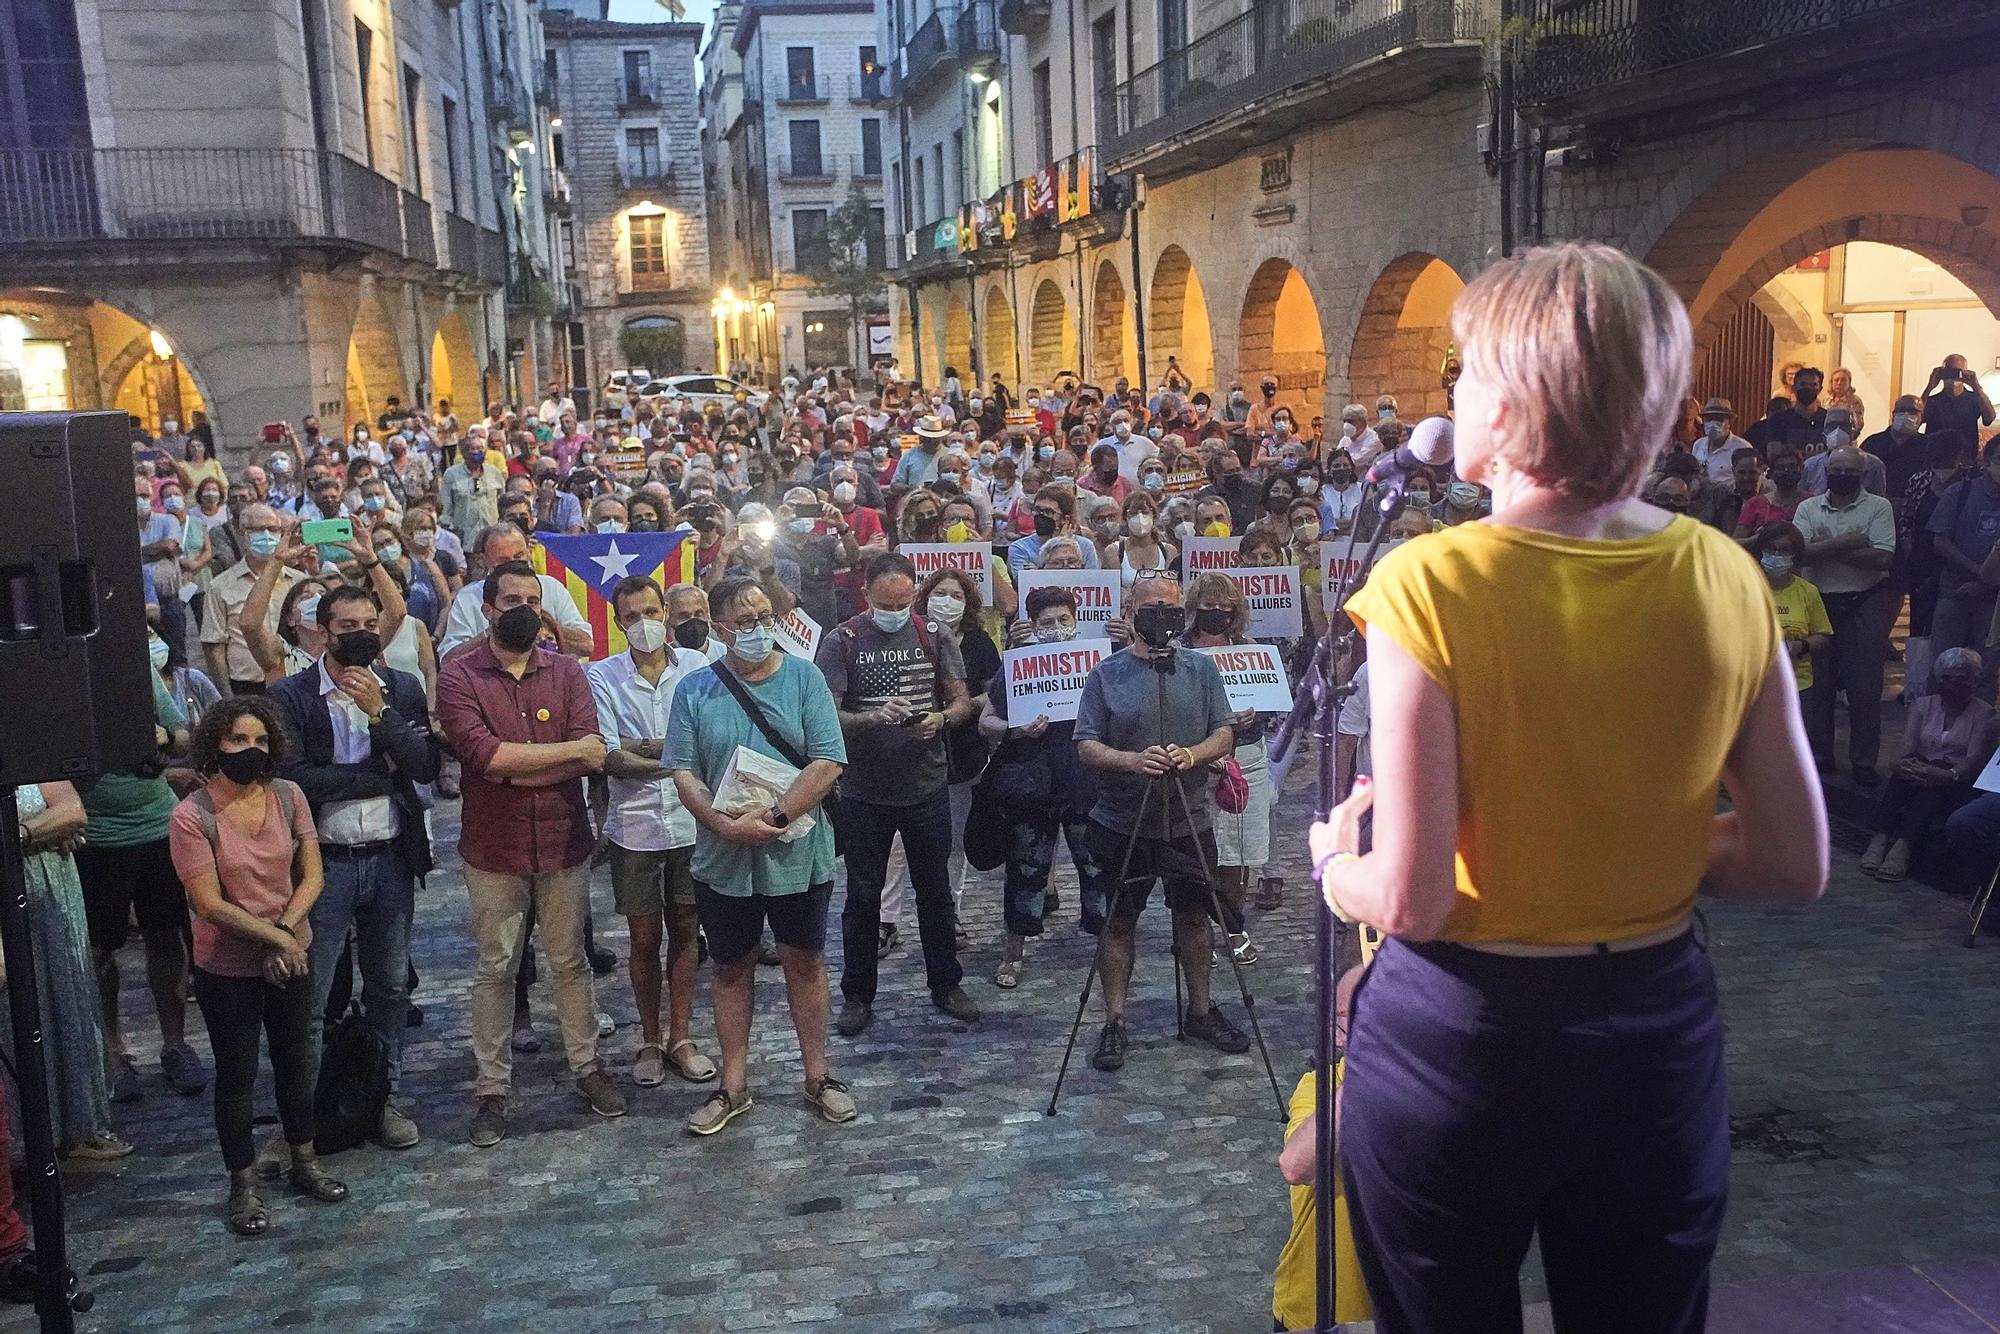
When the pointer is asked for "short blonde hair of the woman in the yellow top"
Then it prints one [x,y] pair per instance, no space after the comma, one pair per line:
[1591,351]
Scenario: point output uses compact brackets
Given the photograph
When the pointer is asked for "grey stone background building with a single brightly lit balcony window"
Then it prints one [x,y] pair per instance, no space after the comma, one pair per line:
[629,185]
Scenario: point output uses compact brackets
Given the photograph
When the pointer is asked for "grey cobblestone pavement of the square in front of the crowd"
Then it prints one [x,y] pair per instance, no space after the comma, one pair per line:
[1863,1081]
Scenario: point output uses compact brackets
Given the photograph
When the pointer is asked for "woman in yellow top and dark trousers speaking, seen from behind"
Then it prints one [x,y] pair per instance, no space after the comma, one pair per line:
[1557,697]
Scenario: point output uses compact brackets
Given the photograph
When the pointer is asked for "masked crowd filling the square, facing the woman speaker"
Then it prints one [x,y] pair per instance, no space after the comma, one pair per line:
[317,699]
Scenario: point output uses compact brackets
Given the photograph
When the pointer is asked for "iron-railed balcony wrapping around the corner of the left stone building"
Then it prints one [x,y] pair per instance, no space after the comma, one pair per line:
[123,197]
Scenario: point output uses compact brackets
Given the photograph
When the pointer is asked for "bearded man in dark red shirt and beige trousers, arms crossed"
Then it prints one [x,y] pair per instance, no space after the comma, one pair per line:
[525,729]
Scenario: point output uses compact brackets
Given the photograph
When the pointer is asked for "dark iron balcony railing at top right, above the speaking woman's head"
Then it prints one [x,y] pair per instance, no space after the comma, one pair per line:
[1573,49]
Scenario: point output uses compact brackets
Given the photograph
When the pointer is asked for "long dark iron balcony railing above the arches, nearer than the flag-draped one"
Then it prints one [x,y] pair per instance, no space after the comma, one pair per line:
[1275,49]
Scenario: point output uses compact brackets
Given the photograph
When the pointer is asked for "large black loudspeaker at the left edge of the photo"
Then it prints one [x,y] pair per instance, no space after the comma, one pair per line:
[75,693]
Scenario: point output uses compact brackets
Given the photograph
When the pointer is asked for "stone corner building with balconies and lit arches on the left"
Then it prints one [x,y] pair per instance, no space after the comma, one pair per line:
[271,211]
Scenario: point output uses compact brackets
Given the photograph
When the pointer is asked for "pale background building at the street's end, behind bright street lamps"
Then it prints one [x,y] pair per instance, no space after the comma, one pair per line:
[797,107]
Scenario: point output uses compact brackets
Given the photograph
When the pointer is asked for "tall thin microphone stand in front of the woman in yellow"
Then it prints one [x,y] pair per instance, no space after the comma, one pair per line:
[1319,699]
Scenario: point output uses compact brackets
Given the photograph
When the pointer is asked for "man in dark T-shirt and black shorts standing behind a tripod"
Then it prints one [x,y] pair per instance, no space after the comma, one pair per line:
[1153,719]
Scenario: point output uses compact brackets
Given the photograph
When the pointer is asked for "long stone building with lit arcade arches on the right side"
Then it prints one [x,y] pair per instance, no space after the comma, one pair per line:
[1303,189]
